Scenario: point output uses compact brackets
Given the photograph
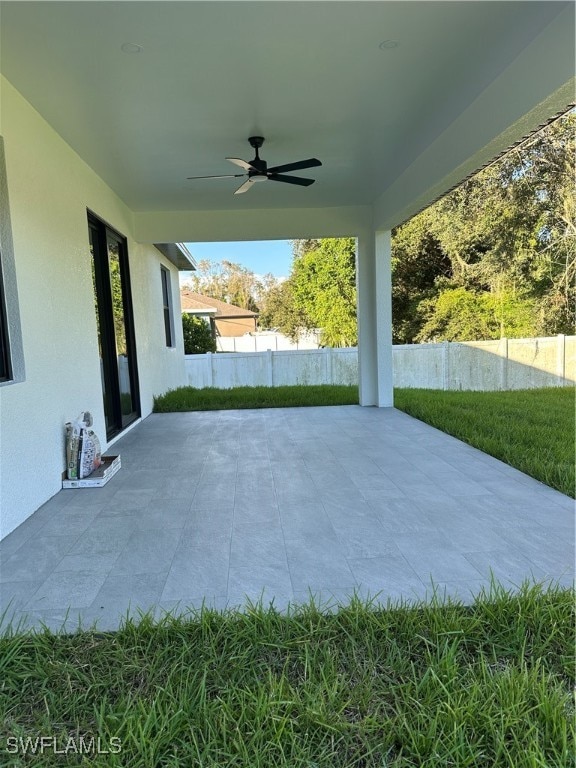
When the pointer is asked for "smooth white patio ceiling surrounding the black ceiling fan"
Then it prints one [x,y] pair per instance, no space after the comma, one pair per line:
[310,77]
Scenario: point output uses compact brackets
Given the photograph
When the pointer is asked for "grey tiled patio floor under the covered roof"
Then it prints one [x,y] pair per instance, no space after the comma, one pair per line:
[280,504]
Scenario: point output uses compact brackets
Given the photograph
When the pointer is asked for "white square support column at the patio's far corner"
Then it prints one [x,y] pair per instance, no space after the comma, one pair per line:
[374,283]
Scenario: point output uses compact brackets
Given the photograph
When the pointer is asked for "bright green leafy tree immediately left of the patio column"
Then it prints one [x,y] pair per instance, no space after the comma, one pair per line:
[323,282]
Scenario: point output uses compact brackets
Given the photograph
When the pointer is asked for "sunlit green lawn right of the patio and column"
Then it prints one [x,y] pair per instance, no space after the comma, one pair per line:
[532,430]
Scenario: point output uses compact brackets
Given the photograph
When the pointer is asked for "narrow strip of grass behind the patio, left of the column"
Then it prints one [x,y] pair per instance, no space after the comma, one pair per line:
[212,399]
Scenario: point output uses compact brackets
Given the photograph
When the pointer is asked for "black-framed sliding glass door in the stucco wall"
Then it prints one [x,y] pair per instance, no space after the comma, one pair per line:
[115,323]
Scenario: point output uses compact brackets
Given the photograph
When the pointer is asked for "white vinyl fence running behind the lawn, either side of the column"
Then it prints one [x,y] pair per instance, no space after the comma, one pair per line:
[471,365]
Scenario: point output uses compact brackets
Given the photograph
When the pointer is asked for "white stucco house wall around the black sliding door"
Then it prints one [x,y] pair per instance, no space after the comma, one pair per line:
[50,189]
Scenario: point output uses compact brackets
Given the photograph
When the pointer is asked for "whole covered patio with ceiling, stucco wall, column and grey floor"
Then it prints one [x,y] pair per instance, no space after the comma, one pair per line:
[118,124]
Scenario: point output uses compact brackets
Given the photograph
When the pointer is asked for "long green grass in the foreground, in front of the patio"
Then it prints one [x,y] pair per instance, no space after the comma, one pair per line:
[431,685]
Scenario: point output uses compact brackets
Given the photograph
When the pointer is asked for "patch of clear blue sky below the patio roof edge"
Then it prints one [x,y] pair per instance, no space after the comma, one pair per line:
[273,256]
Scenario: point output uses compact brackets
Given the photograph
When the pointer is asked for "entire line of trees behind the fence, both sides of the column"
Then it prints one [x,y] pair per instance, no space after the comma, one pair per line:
[494,257]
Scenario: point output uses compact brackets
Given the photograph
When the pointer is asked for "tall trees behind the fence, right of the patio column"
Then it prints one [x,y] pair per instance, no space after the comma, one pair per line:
[506,236]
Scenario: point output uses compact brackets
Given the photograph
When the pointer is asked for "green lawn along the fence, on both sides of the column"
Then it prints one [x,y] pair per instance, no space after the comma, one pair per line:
[532,430]
